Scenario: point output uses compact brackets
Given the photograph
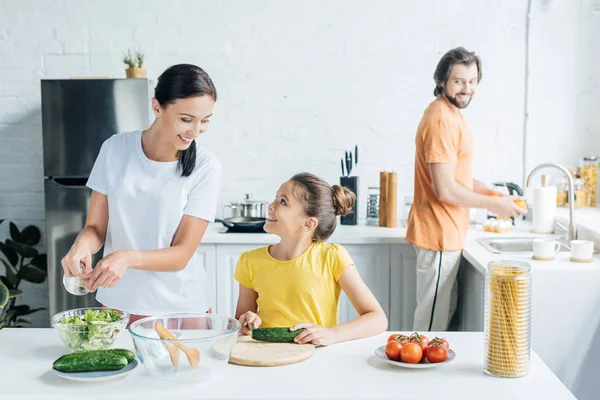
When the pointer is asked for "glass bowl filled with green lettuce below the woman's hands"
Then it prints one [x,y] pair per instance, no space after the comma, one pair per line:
[92,328]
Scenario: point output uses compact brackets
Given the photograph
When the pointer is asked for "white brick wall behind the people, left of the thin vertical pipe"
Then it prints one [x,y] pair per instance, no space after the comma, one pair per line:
[298,82]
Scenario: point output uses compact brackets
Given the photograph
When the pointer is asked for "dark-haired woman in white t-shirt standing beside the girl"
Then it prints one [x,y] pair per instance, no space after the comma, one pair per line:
[153,195]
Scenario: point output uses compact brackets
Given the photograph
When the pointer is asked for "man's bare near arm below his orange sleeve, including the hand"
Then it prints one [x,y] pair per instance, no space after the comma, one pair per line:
[447,190]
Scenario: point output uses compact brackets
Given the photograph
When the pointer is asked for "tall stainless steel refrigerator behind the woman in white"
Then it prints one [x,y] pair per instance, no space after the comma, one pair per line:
[77,116]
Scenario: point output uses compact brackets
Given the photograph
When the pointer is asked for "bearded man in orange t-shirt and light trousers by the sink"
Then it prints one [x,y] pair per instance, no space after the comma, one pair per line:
[445,190]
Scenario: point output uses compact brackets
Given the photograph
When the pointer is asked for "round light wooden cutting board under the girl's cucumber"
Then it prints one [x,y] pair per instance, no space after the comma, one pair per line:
[252,353]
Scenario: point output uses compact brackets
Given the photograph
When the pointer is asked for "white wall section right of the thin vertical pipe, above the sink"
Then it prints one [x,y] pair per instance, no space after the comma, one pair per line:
[564,82]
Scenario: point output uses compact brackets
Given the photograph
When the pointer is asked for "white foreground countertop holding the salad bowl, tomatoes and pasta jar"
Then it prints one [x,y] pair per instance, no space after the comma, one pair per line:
[344,371]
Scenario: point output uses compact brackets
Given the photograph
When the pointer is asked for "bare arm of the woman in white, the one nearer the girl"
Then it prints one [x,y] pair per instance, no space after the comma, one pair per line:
[111,268]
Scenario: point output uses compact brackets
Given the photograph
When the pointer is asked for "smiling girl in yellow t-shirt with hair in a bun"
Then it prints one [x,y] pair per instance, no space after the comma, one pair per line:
[297,282]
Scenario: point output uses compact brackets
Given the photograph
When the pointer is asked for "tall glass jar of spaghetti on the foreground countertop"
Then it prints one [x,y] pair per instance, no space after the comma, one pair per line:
[507,324]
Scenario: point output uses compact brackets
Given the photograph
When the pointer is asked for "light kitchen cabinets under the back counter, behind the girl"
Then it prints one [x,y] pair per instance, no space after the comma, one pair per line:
[388,270]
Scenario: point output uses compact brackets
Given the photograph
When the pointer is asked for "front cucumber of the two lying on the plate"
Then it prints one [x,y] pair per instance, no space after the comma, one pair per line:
[87,362]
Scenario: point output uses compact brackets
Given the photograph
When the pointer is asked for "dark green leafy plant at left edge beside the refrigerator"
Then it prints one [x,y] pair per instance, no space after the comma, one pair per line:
[21,262]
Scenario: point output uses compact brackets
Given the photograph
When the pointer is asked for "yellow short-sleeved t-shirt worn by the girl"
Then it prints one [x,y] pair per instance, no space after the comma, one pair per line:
[304,289]
